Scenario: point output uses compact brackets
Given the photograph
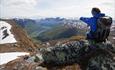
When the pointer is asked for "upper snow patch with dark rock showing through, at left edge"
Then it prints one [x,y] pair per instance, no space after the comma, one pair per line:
[5,33]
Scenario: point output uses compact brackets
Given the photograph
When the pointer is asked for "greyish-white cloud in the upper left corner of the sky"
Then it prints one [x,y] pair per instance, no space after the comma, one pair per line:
[18,8]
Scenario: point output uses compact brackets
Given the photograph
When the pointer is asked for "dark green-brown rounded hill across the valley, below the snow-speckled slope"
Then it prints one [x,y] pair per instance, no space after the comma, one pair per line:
[60,32]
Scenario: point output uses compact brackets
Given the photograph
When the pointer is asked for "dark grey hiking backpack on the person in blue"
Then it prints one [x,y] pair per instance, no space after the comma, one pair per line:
[103,28]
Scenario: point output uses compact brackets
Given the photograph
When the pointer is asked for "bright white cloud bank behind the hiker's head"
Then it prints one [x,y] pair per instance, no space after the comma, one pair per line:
[74,8]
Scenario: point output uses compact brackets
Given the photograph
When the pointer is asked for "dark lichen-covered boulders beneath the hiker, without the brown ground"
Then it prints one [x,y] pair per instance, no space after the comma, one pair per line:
[83,52]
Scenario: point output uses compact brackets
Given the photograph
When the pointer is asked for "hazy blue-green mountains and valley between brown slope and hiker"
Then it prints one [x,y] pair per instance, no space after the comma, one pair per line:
[51,28]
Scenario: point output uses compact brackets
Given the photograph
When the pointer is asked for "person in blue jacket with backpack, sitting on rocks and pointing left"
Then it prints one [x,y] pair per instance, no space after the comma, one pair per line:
[99,25]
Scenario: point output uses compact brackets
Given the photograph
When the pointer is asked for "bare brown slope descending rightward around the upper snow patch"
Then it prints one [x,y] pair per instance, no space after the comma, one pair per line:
[23,43]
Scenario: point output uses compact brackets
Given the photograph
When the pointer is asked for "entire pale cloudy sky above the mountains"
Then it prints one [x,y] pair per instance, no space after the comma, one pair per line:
[54,8]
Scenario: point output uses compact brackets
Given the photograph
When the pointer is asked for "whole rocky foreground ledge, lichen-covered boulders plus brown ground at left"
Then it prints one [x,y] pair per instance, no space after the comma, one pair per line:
[90,56]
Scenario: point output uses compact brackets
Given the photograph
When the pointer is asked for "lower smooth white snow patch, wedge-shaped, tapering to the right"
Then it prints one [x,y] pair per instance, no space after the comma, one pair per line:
[6,57]
